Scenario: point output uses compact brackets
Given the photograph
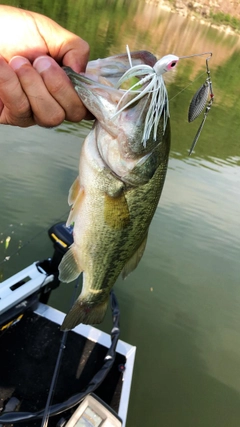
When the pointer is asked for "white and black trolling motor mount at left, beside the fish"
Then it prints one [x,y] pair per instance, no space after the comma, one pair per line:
[35,283]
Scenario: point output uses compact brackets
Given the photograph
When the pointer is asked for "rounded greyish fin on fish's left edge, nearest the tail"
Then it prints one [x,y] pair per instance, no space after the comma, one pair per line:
[70,268]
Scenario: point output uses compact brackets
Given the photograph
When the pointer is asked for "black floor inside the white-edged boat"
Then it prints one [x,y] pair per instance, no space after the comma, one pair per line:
[28,353]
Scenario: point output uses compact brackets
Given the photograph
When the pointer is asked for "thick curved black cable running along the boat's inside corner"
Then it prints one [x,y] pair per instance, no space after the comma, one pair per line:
[14,417]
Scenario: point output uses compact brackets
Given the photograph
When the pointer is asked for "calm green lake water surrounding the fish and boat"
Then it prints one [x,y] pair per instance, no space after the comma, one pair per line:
[181,306]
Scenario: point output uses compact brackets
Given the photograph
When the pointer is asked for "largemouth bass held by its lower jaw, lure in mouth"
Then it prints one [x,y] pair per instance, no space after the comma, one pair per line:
[123,164]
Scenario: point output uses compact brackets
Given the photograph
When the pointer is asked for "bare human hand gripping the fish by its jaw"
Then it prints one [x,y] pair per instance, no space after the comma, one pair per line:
[33,87]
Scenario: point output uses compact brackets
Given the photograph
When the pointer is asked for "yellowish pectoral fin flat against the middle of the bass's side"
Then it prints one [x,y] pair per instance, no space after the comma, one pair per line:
[116,212]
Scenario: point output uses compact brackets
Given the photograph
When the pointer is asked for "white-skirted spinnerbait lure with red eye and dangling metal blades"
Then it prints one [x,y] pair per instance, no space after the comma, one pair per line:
[154,86]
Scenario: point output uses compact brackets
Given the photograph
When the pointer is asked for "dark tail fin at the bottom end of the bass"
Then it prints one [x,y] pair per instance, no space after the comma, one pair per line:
[84,312]
